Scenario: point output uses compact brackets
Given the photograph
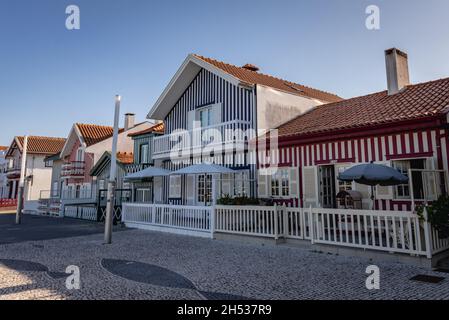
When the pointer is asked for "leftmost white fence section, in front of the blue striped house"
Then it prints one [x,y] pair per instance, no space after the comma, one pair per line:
[178,219]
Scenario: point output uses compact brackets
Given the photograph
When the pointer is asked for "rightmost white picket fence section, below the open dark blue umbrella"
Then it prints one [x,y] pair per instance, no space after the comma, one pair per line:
[391,231]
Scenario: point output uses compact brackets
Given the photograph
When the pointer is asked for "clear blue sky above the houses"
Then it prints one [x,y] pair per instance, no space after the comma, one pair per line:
[51,77]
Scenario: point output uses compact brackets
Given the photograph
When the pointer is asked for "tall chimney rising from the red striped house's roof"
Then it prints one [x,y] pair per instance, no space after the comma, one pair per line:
[397,70]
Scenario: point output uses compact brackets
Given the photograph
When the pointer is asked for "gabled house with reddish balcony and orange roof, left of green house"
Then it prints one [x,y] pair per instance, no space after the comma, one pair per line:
[86,144]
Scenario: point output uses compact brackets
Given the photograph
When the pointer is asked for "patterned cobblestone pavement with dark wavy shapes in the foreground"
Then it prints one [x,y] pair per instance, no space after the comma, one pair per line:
[151,265]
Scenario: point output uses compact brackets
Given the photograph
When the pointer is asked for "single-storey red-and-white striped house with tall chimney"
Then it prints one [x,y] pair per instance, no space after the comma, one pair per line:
[405,127]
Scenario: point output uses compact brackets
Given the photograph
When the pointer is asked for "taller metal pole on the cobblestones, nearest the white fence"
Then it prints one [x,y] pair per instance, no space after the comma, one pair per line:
[112,177]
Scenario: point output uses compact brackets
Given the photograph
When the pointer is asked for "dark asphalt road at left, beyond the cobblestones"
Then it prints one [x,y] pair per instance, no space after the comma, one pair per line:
[44,228]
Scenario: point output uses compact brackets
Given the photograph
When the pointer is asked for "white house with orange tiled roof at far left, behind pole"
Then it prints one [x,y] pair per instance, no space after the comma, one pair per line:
[38,171]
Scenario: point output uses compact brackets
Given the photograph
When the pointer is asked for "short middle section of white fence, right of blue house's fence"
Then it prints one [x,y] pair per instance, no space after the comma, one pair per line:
[249,220]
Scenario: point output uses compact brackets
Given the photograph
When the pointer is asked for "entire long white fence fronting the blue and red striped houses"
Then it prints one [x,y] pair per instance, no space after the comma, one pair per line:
[390,232]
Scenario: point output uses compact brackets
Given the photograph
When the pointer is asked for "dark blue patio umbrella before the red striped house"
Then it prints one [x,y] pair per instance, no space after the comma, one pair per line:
[372,174]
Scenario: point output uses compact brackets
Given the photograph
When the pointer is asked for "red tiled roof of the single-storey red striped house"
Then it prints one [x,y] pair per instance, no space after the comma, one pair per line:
[415,101]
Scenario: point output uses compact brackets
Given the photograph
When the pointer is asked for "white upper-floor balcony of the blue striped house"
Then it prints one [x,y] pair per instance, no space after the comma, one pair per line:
[229,135]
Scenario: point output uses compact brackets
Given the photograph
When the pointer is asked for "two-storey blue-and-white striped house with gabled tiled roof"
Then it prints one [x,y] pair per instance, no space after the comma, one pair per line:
[207,94]
